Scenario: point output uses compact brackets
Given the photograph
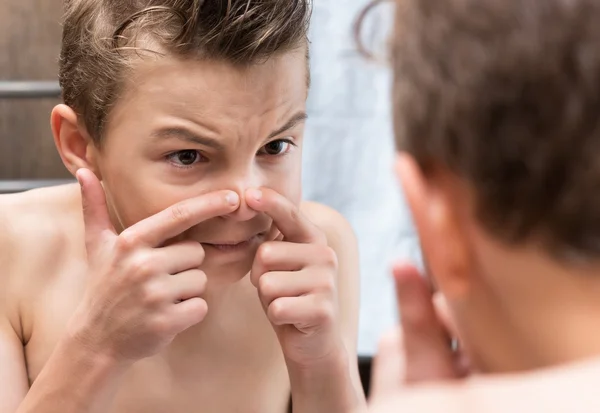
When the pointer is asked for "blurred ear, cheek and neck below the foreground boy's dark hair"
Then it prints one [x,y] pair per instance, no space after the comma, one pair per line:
[493,289]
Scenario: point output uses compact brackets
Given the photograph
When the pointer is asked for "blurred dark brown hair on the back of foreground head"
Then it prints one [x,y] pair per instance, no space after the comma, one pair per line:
[506,95]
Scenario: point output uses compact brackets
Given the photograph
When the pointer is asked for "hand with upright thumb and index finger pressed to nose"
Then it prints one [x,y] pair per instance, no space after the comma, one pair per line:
[141,294]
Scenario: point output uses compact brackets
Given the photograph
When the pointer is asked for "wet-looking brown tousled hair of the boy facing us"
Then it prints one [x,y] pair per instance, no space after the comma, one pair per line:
[101,38]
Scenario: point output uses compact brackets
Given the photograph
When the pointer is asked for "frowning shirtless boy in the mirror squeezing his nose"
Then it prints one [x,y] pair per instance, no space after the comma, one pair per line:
[183,274]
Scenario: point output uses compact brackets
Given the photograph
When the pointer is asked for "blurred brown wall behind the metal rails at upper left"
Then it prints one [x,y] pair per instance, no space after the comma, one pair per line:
[30,41]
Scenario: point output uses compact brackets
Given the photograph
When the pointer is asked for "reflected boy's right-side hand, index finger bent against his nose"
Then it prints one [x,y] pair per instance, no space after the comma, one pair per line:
[296,277]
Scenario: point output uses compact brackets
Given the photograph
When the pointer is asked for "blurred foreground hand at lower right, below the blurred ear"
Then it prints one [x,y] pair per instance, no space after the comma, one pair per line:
[419,350]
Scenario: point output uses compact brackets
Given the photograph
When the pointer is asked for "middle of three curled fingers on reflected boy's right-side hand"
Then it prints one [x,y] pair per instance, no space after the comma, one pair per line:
[273,285]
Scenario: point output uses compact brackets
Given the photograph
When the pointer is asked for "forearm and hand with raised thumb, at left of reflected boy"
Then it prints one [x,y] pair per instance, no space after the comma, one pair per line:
[102,341]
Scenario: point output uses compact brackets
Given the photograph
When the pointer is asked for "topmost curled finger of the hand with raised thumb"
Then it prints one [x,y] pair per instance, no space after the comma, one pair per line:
[179,257]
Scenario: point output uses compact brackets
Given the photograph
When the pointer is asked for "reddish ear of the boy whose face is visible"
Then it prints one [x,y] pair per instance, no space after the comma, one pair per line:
[75,146]
